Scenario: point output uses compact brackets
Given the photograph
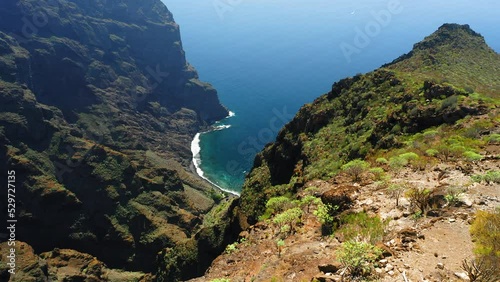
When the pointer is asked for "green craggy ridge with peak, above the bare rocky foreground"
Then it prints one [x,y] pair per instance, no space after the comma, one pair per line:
[448,76]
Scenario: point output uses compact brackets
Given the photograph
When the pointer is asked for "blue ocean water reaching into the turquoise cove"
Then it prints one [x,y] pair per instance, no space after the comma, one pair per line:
[267,58]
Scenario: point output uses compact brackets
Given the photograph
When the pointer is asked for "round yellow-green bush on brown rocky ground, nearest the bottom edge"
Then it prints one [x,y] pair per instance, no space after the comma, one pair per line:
[357,257]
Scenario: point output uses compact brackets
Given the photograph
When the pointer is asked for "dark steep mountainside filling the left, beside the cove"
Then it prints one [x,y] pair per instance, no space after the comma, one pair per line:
[97,110]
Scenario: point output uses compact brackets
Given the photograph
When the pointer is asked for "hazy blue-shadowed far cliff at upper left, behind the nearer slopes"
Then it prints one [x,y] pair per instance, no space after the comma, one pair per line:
[129,48]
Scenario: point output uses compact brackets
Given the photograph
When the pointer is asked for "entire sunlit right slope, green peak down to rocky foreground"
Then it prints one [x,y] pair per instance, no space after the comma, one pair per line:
[382,178]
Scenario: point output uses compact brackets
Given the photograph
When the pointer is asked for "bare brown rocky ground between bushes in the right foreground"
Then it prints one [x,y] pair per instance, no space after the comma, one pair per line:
[429,248]
